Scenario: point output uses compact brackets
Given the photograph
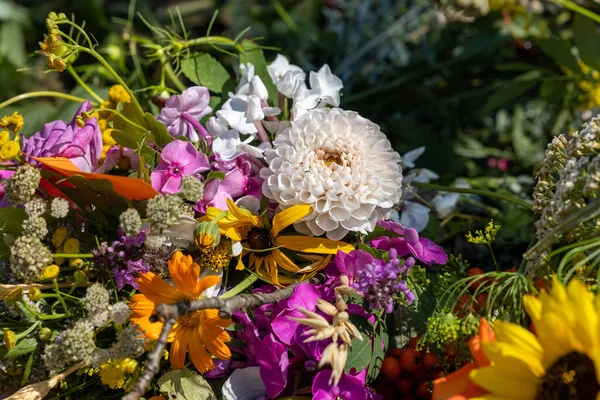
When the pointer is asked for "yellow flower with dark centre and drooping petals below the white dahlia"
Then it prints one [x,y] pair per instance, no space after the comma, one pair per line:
[264,246]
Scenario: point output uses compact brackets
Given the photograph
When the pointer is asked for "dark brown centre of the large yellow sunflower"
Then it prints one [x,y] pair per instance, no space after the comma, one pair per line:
[573,376]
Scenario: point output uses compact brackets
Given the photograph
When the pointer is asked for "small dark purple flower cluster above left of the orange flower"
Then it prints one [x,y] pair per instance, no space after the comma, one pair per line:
[124,258]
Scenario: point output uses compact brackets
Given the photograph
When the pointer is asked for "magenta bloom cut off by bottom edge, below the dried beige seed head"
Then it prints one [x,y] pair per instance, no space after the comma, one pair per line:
[348,388]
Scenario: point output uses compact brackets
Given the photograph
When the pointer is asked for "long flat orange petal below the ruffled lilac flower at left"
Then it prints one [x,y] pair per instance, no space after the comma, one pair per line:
[132,188]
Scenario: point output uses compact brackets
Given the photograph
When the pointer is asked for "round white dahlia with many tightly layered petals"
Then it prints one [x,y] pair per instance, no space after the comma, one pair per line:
[341,164]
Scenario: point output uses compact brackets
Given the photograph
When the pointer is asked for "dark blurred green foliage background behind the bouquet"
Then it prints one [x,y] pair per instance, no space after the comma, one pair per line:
[482,84]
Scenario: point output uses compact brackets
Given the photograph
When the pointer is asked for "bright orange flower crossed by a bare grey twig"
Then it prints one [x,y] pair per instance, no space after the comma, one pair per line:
[201,332]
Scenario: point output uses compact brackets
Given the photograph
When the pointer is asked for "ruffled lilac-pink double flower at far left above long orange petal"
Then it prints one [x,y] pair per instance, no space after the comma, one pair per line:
[82,145]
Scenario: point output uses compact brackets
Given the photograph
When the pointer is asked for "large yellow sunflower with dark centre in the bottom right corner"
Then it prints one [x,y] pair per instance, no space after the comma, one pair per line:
[561,362]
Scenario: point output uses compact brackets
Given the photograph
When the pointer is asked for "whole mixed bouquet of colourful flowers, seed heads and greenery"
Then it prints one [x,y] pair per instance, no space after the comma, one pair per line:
[231,232]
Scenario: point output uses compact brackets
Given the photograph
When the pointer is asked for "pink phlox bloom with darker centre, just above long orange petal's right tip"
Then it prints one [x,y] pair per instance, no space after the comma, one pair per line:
[178,159]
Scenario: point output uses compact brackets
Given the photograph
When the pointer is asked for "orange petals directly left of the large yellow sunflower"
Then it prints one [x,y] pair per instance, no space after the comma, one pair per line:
[458,385]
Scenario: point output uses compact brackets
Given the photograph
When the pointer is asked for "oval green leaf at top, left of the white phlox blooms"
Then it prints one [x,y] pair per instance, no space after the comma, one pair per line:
[204,70]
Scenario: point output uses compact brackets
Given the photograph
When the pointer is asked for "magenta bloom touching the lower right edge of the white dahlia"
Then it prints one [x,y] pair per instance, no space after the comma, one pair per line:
[409,242]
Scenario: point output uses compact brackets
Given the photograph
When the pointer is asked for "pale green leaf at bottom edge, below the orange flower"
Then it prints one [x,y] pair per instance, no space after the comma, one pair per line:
[183,384]
